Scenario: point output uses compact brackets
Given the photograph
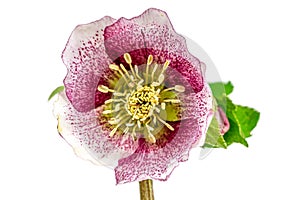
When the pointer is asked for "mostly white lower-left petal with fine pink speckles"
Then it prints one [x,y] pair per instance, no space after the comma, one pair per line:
[89,139]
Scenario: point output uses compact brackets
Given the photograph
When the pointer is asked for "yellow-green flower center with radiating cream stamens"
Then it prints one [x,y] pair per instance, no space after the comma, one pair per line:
[138,104]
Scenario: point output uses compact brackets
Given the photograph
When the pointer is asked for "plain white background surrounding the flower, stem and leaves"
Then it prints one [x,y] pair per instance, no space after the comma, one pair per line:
[255,44]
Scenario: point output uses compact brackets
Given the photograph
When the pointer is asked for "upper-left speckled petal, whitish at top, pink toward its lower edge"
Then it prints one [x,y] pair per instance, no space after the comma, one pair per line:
[87,64]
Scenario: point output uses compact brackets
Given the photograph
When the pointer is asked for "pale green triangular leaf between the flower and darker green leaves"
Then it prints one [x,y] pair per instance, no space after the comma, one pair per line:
[213,137]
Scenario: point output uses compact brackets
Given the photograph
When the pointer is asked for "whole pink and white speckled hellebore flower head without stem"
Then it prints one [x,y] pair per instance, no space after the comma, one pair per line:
[135,98]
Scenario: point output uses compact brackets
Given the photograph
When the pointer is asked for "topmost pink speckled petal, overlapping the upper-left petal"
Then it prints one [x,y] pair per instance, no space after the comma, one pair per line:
[152,33]
